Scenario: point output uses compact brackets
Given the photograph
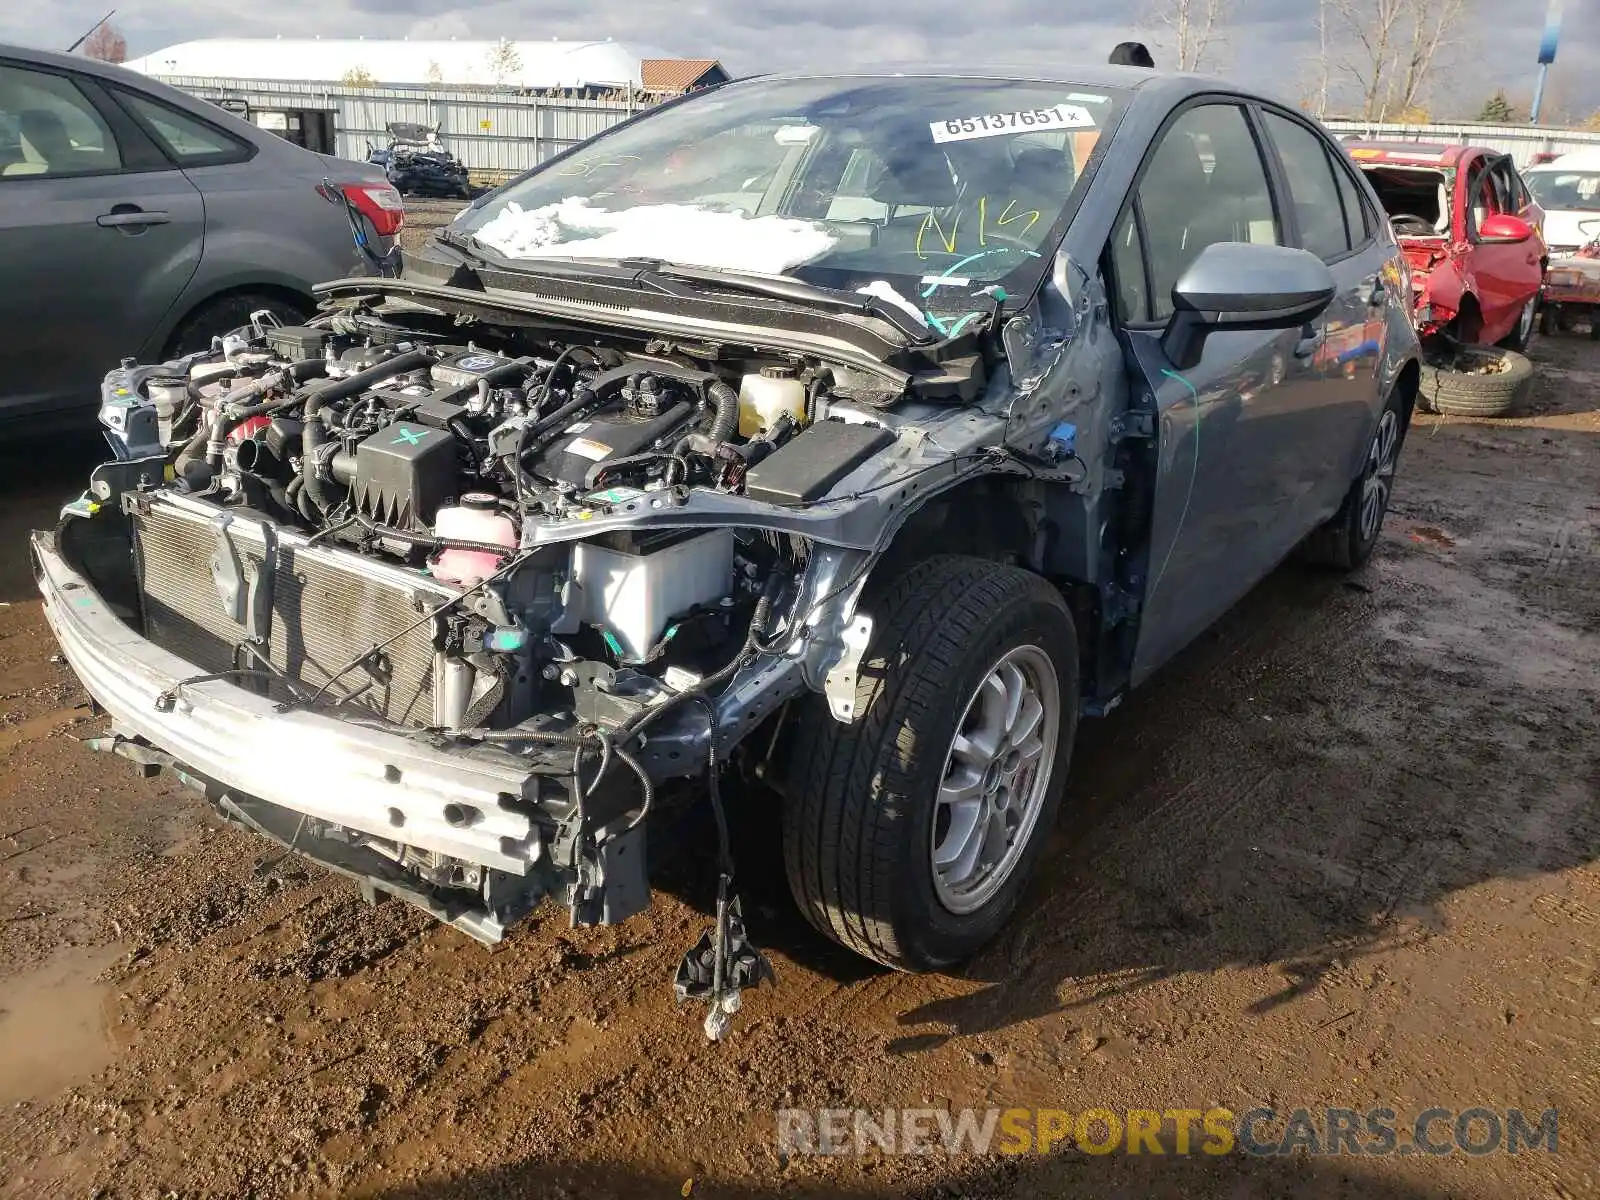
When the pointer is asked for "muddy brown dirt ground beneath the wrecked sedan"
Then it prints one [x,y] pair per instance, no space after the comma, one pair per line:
[1345,850]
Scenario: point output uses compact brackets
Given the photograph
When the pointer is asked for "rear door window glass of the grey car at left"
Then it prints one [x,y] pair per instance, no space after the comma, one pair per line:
[50,129]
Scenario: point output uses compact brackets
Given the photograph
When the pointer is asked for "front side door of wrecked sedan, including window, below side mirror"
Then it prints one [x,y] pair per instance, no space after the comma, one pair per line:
[1226,482]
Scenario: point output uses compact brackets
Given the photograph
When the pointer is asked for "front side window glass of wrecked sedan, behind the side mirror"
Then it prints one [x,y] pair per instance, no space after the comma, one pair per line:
[1204,183]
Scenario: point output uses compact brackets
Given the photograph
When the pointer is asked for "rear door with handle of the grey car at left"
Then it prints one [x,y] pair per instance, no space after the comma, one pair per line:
[100,230]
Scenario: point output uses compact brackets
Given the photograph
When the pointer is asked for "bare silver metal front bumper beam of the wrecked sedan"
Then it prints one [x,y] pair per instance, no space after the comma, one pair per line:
[474,834]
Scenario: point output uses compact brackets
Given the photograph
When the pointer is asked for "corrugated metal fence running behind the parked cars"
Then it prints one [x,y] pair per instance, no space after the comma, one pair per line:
[503,134]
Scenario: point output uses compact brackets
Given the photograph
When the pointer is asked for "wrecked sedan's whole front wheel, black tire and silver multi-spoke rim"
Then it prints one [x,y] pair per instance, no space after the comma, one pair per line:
[911,833]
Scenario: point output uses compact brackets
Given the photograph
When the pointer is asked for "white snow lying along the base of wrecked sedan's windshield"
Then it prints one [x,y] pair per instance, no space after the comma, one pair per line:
[682,234]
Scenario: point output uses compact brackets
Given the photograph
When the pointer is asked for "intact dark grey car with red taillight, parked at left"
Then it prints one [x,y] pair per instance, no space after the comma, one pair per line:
[140,222]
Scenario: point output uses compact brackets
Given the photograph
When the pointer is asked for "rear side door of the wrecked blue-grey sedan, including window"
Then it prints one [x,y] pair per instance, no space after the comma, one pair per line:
[1334,222]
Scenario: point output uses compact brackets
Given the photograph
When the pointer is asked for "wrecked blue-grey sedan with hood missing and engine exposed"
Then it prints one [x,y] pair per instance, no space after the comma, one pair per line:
[850,436]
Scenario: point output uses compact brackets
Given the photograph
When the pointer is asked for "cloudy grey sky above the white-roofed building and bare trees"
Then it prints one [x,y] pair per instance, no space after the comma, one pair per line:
[1271,42]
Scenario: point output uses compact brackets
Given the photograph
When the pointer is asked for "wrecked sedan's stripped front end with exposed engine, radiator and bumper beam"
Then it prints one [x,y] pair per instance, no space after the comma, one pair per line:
[458,618]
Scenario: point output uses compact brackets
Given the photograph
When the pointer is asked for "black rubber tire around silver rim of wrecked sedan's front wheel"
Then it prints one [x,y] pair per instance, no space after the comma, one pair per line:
[860,820]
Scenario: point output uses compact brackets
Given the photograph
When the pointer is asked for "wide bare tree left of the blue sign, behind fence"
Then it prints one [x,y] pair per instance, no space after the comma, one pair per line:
[1388,49]
